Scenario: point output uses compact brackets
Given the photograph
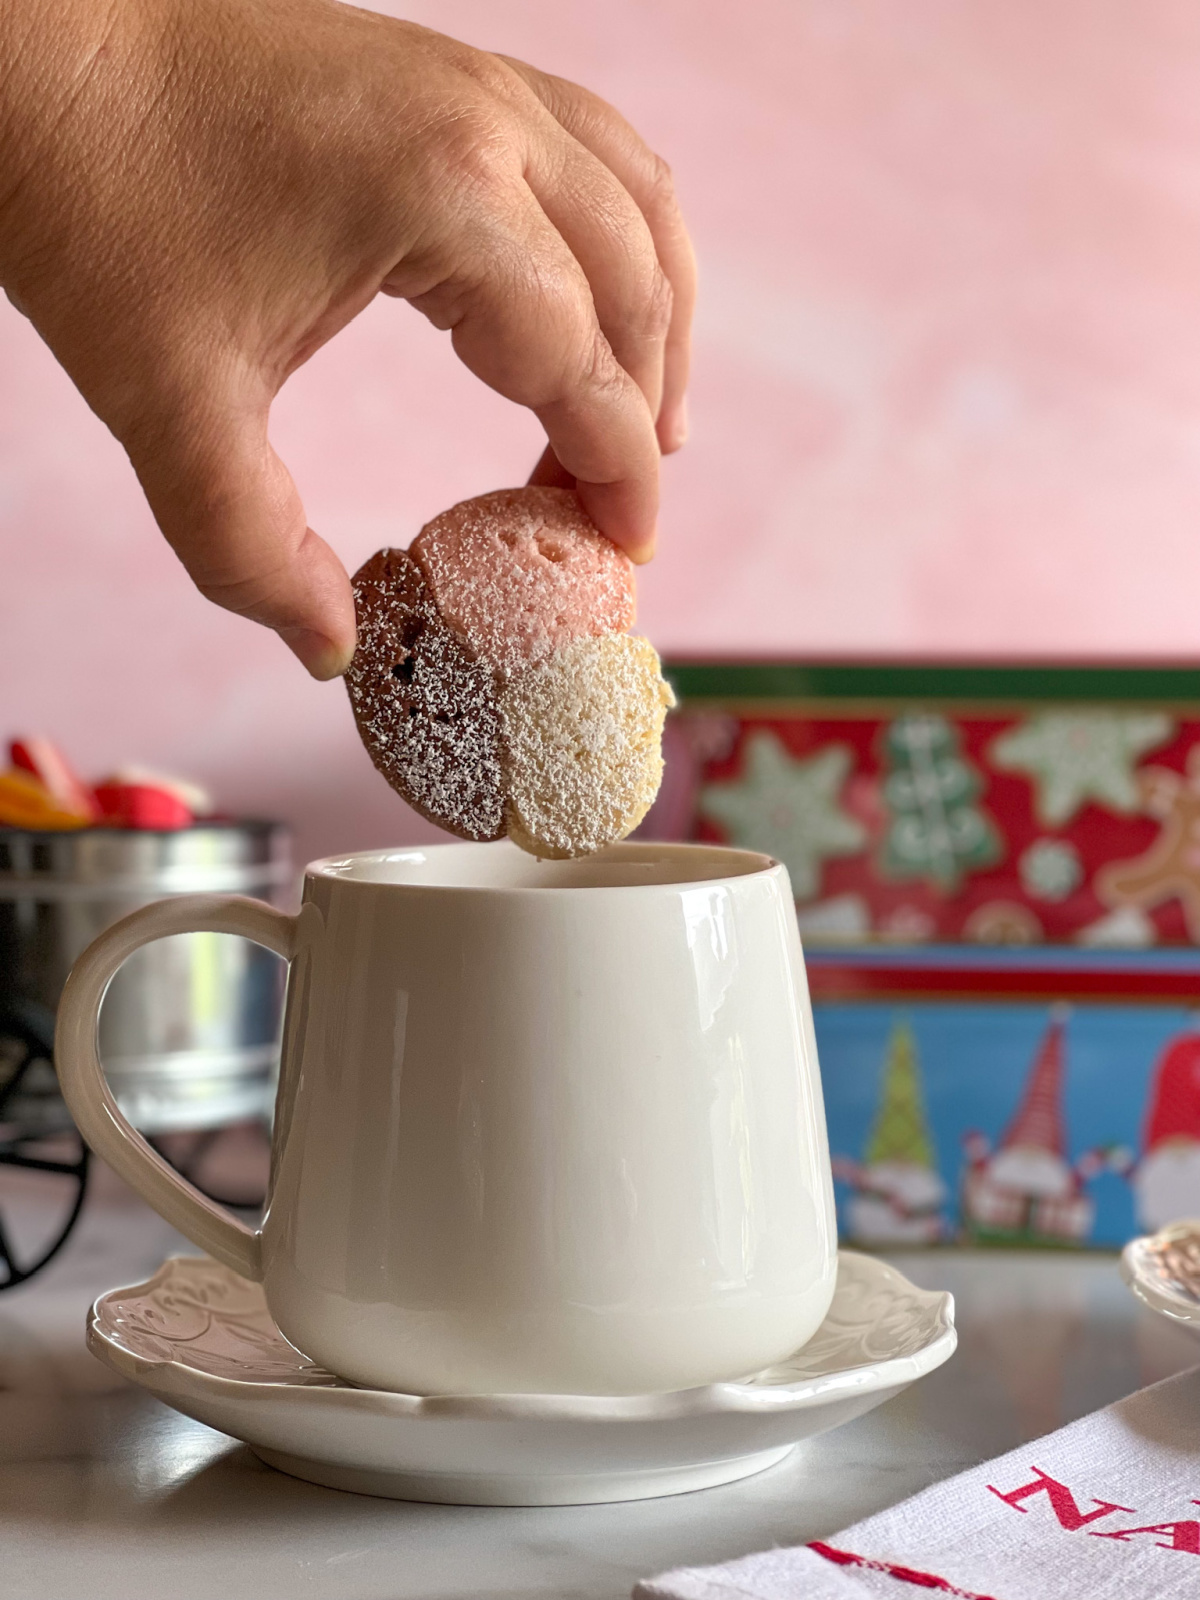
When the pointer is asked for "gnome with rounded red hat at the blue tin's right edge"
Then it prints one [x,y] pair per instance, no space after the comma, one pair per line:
[1167,1178]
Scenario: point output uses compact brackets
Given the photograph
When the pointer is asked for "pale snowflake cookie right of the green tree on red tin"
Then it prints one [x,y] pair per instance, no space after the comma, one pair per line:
[1079,756]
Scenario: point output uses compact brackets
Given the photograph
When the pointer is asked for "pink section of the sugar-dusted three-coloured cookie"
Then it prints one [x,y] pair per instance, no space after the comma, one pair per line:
[521,574]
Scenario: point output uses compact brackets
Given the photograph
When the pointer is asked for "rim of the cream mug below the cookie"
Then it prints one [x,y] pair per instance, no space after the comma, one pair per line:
[334,868]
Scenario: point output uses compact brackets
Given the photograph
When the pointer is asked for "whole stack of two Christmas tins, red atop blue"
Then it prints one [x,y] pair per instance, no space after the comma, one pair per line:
[998,884]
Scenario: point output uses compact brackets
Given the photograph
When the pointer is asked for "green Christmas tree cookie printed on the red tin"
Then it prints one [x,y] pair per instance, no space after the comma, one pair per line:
[935,828]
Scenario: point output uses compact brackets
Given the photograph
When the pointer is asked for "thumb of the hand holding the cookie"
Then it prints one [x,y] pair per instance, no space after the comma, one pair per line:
[234,518]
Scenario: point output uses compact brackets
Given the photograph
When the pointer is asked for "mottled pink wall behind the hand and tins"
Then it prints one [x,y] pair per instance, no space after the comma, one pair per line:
[948,385]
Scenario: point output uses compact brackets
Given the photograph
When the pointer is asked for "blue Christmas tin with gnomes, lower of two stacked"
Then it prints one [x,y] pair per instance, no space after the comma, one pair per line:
[1014,1121]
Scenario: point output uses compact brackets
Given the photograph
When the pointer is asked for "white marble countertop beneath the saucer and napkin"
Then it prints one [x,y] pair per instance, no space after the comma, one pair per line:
[106,1495]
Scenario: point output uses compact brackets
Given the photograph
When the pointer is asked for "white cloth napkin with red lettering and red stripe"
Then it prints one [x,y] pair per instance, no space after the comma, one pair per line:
[1105,1510]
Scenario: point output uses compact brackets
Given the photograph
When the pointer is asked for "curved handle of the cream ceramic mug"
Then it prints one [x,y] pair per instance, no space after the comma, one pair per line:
[89,1097]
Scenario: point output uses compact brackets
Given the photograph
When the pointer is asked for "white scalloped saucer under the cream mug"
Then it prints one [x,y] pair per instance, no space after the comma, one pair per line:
[202,1340]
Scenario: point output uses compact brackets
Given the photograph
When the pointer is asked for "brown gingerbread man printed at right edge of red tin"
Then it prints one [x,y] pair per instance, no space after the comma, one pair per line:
[1172,866]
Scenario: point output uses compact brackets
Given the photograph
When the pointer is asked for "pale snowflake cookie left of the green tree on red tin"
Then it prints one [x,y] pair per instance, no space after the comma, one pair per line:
[788,807]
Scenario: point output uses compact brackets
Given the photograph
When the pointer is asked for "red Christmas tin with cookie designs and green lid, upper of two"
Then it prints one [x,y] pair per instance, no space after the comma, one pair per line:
[993,810]
